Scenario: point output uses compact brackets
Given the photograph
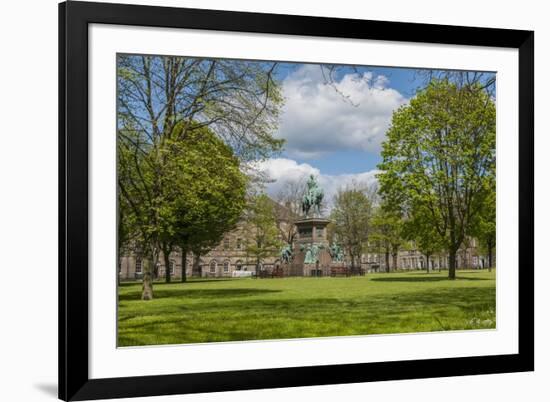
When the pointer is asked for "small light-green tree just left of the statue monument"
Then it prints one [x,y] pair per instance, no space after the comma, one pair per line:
[262,232]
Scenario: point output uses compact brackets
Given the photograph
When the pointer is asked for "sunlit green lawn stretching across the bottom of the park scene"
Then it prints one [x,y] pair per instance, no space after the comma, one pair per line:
[245,309]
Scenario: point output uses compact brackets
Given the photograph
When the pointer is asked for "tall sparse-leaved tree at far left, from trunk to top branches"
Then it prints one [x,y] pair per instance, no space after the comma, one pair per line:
[164,101]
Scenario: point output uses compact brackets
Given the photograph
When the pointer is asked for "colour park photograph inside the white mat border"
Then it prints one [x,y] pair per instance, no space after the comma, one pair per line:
[268,200]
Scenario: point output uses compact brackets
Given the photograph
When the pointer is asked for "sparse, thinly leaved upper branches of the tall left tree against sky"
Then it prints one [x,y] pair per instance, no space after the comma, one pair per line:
[238,100]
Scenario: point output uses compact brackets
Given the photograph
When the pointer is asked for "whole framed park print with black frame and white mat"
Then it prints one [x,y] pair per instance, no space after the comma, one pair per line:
[258,201]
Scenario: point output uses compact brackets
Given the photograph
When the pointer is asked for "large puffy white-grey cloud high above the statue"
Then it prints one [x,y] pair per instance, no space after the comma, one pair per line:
[318,119]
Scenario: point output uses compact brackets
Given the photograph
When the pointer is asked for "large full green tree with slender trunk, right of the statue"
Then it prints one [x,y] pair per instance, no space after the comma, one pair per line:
[440,157]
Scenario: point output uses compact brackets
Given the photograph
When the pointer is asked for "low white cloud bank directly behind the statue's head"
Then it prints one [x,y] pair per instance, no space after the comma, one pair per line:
[283,170]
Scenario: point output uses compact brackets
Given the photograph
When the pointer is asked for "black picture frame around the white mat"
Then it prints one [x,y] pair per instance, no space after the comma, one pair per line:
[74,381]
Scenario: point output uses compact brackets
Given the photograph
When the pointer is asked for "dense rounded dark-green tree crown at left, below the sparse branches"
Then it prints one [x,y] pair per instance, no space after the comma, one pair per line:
[181,192]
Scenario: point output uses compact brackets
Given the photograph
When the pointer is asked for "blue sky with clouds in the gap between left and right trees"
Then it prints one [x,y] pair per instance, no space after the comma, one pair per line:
[335,131]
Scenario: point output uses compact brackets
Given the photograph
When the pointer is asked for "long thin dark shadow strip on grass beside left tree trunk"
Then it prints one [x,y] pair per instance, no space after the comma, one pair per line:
[161,293]
